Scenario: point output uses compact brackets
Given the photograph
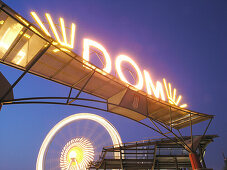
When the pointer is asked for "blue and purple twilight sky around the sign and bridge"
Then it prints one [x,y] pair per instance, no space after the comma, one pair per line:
[183,41]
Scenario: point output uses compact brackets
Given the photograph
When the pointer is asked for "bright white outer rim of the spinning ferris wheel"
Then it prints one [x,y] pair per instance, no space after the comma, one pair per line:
[116,139]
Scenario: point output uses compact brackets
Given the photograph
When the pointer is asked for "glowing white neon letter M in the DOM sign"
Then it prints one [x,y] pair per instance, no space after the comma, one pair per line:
[157,91]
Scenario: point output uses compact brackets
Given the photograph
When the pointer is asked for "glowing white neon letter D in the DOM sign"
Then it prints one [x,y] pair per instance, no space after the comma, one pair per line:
[86,53]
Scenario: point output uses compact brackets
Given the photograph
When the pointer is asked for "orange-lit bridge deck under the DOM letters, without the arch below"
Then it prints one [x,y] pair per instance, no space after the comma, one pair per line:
[22,44]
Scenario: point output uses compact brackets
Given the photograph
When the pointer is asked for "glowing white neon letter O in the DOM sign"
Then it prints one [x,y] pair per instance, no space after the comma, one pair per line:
[118,62]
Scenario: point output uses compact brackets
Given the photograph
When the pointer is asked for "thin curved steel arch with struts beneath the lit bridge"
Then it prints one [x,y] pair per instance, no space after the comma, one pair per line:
[33,100]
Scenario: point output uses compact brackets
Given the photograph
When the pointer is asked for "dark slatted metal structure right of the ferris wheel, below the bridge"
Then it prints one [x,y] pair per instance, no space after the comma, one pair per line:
[151,154]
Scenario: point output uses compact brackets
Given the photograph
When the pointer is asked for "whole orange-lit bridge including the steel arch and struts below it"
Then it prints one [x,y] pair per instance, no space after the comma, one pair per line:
[28,49]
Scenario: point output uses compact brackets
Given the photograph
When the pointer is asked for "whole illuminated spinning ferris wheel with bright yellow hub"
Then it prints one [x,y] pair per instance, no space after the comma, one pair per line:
[76,142]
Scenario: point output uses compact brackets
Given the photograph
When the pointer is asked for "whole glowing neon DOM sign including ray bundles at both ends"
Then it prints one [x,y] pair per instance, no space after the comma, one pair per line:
[165,93]
